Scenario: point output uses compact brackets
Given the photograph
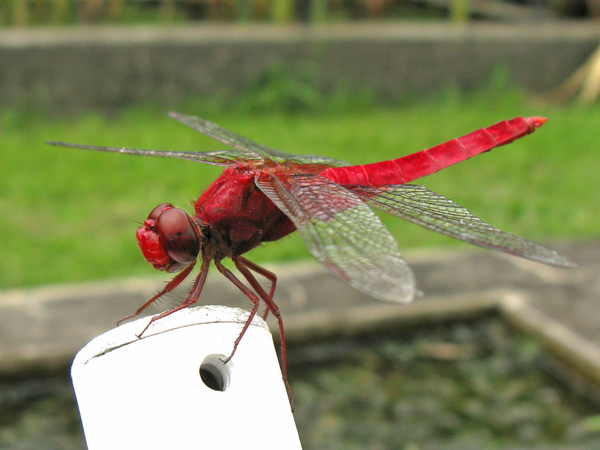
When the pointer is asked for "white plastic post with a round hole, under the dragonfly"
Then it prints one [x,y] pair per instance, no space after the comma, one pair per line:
[149,394]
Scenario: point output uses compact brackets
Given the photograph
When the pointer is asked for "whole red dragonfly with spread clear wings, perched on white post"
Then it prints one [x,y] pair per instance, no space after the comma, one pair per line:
[265,194]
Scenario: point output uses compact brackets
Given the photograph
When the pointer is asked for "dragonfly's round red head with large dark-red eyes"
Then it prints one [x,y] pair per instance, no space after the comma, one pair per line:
[169,238]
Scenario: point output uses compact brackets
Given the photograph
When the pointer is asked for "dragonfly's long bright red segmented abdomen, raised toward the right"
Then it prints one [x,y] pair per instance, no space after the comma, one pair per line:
[409,168]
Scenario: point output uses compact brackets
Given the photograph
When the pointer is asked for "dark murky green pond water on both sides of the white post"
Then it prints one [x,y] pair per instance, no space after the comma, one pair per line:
[448,386]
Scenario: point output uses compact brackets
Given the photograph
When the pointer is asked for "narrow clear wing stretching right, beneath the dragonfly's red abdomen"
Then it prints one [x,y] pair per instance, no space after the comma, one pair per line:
[423,207]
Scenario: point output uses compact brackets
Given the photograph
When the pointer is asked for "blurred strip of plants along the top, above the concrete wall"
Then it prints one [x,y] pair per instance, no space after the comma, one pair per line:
[62,12]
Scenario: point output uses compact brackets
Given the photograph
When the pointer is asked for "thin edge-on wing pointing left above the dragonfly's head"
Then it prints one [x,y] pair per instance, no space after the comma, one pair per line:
[218,158]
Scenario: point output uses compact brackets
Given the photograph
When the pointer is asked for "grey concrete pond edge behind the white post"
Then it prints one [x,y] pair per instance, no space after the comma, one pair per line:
[42,328]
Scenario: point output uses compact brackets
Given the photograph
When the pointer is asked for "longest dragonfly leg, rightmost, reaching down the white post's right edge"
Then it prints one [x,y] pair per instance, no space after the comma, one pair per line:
[243,265]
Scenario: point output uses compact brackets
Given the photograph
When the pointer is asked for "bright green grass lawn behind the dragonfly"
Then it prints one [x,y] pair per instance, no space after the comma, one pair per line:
[70,215]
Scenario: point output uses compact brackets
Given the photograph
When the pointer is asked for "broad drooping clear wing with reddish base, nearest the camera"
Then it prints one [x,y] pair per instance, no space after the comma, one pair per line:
[343,233]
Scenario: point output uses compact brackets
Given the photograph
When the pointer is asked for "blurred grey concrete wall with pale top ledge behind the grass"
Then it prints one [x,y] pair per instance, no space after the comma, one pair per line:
[70,70]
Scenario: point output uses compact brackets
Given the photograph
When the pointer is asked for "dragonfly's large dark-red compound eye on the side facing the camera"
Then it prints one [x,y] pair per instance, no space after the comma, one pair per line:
[177,234]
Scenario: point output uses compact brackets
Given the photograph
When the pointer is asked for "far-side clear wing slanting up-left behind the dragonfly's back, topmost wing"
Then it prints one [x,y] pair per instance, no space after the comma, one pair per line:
[252,150]
